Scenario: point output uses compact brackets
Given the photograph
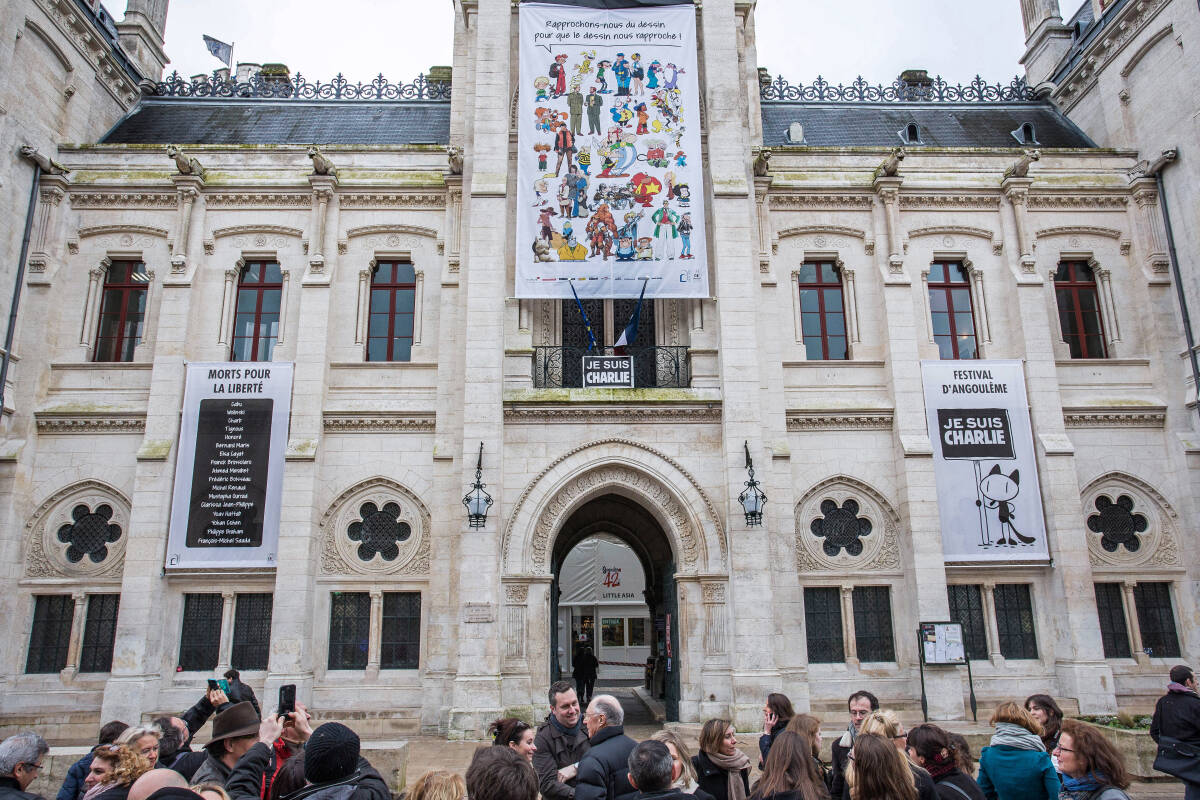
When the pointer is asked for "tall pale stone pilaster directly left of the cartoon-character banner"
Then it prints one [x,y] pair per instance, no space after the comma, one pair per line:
[477,687]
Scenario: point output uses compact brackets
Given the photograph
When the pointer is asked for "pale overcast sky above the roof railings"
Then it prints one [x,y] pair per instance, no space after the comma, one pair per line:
[800,40]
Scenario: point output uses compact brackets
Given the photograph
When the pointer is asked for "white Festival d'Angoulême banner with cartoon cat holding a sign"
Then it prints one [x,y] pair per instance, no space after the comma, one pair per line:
[985,466]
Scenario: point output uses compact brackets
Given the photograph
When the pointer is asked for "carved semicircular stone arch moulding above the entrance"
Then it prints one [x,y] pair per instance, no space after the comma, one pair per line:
[665,489]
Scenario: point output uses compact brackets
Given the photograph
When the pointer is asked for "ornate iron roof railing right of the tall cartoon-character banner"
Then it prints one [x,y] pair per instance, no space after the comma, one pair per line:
[901,92]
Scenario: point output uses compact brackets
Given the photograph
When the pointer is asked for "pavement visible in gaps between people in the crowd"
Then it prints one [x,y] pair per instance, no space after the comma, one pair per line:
[433,754]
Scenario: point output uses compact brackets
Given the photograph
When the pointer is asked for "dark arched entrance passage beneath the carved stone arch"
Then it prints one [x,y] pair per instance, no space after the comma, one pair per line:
[628,522]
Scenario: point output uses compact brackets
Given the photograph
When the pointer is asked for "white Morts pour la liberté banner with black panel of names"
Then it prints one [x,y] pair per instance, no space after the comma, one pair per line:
[230,470]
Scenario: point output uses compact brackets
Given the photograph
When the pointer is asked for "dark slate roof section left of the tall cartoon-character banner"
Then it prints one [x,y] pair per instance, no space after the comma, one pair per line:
[170,121]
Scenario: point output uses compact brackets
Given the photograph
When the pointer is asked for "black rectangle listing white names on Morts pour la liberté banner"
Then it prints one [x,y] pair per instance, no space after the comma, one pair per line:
[230,476]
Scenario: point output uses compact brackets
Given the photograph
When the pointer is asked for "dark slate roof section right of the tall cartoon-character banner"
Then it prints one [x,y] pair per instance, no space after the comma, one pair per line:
[943,125]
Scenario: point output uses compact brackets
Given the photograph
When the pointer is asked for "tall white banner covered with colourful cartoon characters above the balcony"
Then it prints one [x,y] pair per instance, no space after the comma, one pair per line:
[609,178]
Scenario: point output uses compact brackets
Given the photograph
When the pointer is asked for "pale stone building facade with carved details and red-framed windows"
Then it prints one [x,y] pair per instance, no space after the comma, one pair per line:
[457,627]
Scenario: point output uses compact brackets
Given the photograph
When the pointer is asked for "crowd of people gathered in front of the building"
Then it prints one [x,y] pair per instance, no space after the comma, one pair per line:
[584,754]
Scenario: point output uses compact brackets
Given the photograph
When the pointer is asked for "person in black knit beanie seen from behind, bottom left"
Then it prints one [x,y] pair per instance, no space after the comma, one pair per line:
[335,771]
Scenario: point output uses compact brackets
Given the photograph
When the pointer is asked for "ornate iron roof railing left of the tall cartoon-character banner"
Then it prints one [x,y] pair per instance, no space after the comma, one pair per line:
[298,88]
